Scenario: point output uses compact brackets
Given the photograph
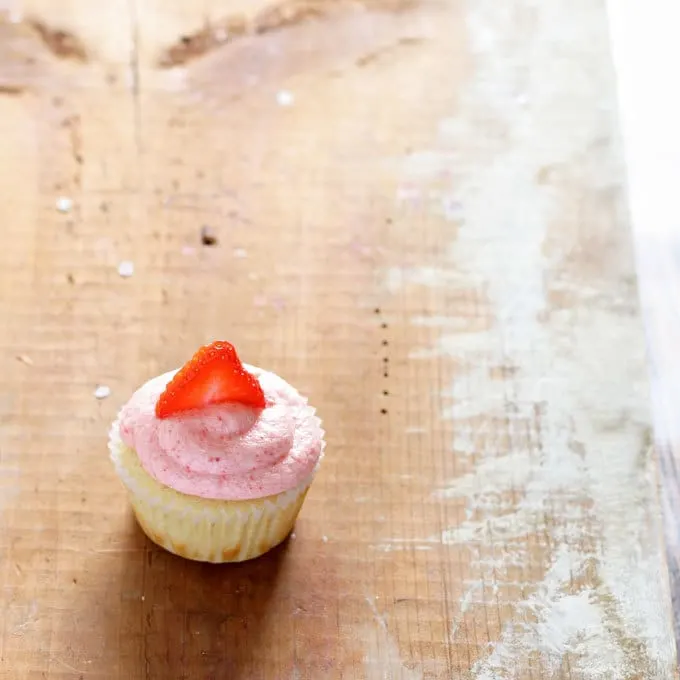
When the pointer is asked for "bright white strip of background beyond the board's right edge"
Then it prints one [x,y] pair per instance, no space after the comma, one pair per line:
[649,114]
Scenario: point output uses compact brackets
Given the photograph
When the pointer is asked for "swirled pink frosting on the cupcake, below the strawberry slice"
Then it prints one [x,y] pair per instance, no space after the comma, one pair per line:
[229,452]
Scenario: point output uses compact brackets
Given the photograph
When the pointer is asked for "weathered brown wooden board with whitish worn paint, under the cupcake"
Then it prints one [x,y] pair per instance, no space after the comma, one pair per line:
[422,224]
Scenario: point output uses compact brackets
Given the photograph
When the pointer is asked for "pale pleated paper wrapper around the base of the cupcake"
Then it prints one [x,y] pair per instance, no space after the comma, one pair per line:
[208,530]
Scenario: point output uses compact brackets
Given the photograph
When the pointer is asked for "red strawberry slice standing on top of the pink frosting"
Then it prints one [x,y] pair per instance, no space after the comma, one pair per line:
[214,375]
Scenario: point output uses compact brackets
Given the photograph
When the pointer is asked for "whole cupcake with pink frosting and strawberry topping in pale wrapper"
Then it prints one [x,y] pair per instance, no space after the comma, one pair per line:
[217,457]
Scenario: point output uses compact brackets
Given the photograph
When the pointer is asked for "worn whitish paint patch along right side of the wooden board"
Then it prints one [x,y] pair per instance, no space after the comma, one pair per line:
[564,498]
